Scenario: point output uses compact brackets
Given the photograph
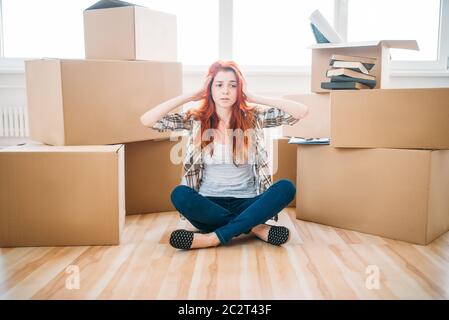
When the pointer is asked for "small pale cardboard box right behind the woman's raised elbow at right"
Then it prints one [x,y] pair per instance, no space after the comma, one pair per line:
[317,123]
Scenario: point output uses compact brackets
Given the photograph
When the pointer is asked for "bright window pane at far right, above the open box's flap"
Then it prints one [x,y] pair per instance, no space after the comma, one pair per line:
[400,19]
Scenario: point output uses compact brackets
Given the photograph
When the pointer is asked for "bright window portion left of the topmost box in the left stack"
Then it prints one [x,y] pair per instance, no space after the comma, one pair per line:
[45,28]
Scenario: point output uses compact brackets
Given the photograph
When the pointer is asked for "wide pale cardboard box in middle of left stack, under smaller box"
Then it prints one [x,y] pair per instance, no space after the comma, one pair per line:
[91,102]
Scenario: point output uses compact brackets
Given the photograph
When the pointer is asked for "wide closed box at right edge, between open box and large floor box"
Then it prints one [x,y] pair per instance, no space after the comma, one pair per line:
[390,118]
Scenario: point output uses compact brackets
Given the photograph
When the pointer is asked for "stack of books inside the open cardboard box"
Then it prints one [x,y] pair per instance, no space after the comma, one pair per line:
[350,72]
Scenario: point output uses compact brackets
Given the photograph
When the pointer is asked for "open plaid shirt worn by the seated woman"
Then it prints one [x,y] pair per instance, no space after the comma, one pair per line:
[193,162]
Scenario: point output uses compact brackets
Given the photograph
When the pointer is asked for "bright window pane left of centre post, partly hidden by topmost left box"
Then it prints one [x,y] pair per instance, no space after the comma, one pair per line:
[54,28]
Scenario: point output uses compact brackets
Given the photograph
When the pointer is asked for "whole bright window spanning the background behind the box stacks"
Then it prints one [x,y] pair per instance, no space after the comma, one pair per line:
[267,33]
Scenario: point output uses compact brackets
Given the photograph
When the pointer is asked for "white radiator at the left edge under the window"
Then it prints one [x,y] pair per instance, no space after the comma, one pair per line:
[13,121]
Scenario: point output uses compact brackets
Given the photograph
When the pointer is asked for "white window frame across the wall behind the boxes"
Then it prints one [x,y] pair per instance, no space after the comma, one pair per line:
[225,38]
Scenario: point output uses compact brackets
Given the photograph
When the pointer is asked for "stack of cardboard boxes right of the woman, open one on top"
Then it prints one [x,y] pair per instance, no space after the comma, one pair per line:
[386,171]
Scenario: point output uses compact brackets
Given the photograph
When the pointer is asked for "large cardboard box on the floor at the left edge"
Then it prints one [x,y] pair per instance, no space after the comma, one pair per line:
[58,196]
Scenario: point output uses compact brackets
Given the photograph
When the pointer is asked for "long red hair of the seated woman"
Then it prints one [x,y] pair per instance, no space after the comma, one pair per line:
[242,115]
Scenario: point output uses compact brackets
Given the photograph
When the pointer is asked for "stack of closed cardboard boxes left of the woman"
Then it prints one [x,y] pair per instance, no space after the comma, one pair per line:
[69,188]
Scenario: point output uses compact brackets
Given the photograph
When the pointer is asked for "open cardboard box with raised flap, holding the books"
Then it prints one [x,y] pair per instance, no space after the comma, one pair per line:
[322,53]
